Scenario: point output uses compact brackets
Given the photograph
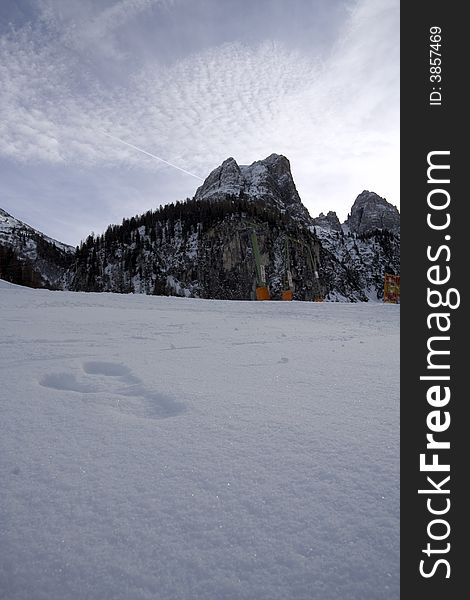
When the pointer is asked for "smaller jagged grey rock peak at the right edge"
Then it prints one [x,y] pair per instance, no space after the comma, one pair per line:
[370,212]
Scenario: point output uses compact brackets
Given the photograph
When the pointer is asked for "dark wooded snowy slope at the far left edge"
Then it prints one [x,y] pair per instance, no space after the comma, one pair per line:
[31,258]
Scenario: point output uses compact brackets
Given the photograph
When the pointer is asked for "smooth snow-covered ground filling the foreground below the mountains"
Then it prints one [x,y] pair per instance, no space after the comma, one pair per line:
[168,448]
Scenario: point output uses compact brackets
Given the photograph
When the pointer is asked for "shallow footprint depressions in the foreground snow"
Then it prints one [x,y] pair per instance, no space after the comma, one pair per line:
[128,392]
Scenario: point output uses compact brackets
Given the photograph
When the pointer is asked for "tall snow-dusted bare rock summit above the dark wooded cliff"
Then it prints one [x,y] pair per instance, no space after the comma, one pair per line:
[268,181]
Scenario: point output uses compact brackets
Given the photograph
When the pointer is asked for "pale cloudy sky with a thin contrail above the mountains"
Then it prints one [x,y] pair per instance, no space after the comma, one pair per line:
[193,82]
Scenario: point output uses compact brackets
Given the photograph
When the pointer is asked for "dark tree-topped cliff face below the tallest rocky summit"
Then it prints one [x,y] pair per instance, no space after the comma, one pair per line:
[202,249]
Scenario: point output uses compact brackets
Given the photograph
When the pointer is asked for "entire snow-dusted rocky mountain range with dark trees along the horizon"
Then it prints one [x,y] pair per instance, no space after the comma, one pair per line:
[246,227]
